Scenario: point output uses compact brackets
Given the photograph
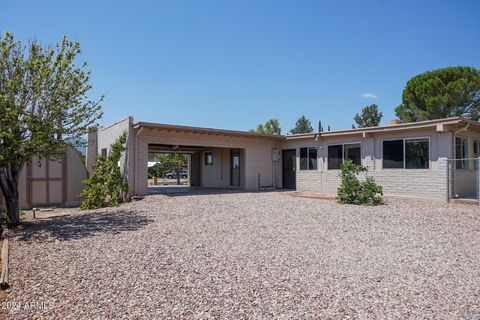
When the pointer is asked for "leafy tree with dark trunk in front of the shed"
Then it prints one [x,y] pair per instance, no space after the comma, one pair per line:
[43,104]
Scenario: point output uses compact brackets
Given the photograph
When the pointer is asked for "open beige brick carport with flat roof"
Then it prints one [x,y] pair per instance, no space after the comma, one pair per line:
[218,158]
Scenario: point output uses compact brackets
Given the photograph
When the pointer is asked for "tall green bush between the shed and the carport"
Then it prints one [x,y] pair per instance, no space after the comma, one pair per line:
[106,187]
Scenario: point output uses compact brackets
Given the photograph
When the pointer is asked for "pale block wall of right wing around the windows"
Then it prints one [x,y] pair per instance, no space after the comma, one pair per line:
[422,183]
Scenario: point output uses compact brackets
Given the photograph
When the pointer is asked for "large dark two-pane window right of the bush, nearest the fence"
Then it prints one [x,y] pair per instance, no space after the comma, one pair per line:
[406,154]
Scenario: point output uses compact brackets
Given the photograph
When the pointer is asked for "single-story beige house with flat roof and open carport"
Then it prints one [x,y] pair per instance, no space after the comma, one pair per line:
[406,159]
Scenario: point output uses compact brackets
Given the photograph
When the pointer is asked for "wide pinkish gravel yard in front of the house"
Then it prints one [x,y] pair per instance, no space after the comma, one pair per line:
[250,255]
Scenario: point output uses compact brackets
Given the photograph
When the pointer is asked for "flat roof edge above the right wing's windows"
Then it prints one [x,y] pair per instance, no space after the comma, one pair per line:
[453,121]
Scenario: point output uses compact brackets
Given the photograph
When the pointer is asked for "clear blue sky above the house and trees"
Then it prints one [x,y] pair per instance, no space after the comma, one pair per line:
[234,64]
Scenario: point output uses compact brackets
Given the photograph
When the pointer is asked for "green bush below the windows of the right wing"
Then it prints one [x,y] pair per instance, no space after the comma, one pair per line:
[354,191]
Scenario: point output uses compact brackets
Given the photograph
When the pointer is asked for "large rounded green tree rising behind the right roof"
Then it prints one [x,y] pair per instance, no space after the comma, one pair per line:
[441,93]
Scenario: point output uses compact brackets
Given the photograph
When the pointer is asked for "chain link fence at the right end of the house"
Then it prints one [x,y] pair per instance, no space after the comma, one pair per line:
[463,179]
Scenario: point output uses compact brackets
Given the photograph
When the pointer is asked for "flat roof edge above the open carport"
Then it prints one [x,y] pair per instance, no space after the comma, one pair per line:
[170,127]
